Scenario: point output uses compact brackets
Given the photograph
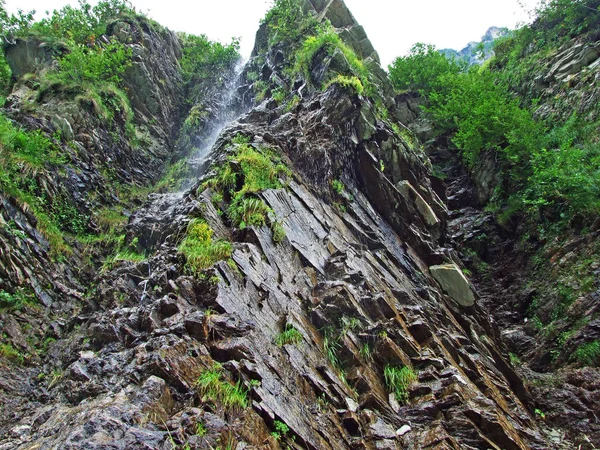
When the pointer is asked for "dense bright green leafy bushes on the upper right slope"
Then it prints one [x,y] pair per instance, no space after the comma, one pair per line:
[552,173]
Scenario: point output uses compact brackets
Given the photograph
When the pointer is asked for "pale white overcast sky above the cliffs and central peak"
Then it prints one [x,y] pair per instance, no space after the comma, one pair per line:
[392,25]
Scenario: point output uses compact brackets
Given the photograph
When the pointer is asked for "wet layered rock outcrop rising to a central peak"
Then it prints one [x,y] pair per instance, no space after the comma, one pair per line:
[383,355]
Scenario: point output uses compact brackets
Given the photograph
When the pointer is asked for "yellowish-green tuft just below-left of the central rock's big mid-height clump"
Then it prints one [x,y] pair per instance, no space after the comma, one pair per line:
[199,248]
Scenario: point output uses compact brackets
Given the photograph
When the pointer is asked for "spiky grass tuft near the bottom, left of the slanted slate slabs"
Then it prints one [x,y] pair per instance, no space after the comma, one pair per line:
[213,387]
